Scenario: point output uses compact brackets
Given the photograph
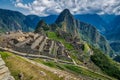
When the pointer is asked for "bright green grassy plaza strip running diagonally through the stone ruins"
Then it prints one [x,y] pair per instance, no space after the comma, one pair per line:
[53,35]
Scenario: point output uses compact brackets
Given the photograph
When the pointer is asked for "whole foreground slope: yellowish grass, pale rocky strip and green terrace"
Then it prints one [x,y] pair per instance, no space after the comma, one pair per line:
[41,69]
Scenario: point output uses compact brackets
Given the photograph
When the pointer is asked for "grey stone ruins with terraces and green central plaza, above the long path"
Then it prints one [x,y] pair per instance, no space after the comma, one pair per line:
[54,47]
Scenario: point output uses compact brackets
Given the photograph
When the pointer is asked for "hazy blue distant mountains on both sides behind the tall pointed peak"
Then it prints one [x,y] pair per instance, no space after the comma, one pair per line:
[108,25]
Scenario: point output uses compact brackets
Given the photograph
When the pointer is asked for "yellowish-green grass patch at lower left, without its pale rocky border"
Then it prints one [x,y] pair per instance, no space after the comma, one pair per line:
[18,65]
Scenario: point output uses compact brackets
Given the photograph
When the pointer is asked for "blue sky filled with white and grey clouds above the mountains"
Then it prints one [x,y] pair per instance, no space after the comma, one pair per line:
[48,7]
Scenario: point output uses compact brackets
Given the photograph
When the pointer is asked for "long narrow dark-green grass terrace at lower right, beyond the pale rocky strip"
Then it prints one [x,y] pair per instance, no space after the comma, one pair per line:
[75,70]
